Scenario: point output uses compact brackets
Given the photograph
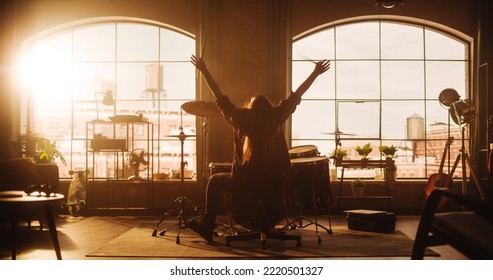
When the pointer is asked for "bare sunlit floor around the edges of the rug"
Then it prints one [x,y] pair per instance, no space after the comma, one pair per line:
[81,235]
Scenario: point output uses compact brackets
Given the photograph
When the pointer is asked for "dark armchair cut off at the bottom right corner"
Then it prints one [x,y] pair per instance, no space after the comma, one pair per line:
[469,231]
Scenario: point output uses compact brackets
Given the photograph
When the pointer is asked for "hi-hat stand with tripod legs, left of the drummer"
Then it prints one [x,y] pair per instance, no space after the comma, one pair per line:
[180,202]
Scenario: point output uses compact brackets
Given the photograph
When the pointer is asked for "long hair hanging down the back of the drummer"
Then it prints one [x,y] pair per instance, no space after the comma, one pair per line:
[259,142]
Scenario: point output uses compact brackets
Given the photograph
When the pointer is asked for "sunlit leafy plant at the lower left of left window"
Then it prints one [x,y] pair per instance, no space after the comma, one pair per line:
[37,147]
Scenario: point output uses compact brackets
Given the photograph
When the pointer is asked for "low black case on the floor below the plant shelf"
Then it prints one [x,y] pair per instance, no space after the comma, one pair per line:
[371,220]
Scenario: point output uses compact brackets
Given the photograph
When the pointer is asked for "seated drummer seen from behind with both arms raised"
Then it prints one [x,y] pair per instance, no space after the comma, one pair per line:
[261,155]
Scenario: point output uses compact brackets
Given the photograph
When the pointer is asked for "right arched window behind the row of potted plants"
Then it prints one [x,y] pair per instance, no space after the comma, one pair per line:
[382,89]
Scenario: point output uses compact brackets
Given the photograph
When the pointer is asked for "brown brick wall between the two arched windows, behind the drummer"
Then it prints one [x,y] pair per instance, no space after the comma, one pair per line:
[243,60]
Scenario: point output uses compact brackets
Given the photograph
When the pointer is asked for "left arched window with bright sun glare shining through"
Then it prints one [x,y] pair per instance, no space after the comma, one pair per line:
[145,66]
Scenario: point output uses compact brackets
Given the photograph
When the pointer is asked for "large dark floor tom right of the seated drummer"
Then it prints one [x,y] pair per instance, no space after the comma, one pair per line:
[310,184]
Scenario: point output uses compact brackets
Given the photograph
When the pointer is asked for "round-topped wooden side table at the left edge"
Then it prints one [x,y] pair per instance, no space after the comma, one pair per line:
[14,203]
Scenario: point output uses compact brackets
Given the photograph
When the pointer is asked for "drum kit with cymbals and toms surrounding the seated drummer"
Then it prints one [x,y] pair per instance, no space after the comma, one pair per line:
[308,166]
